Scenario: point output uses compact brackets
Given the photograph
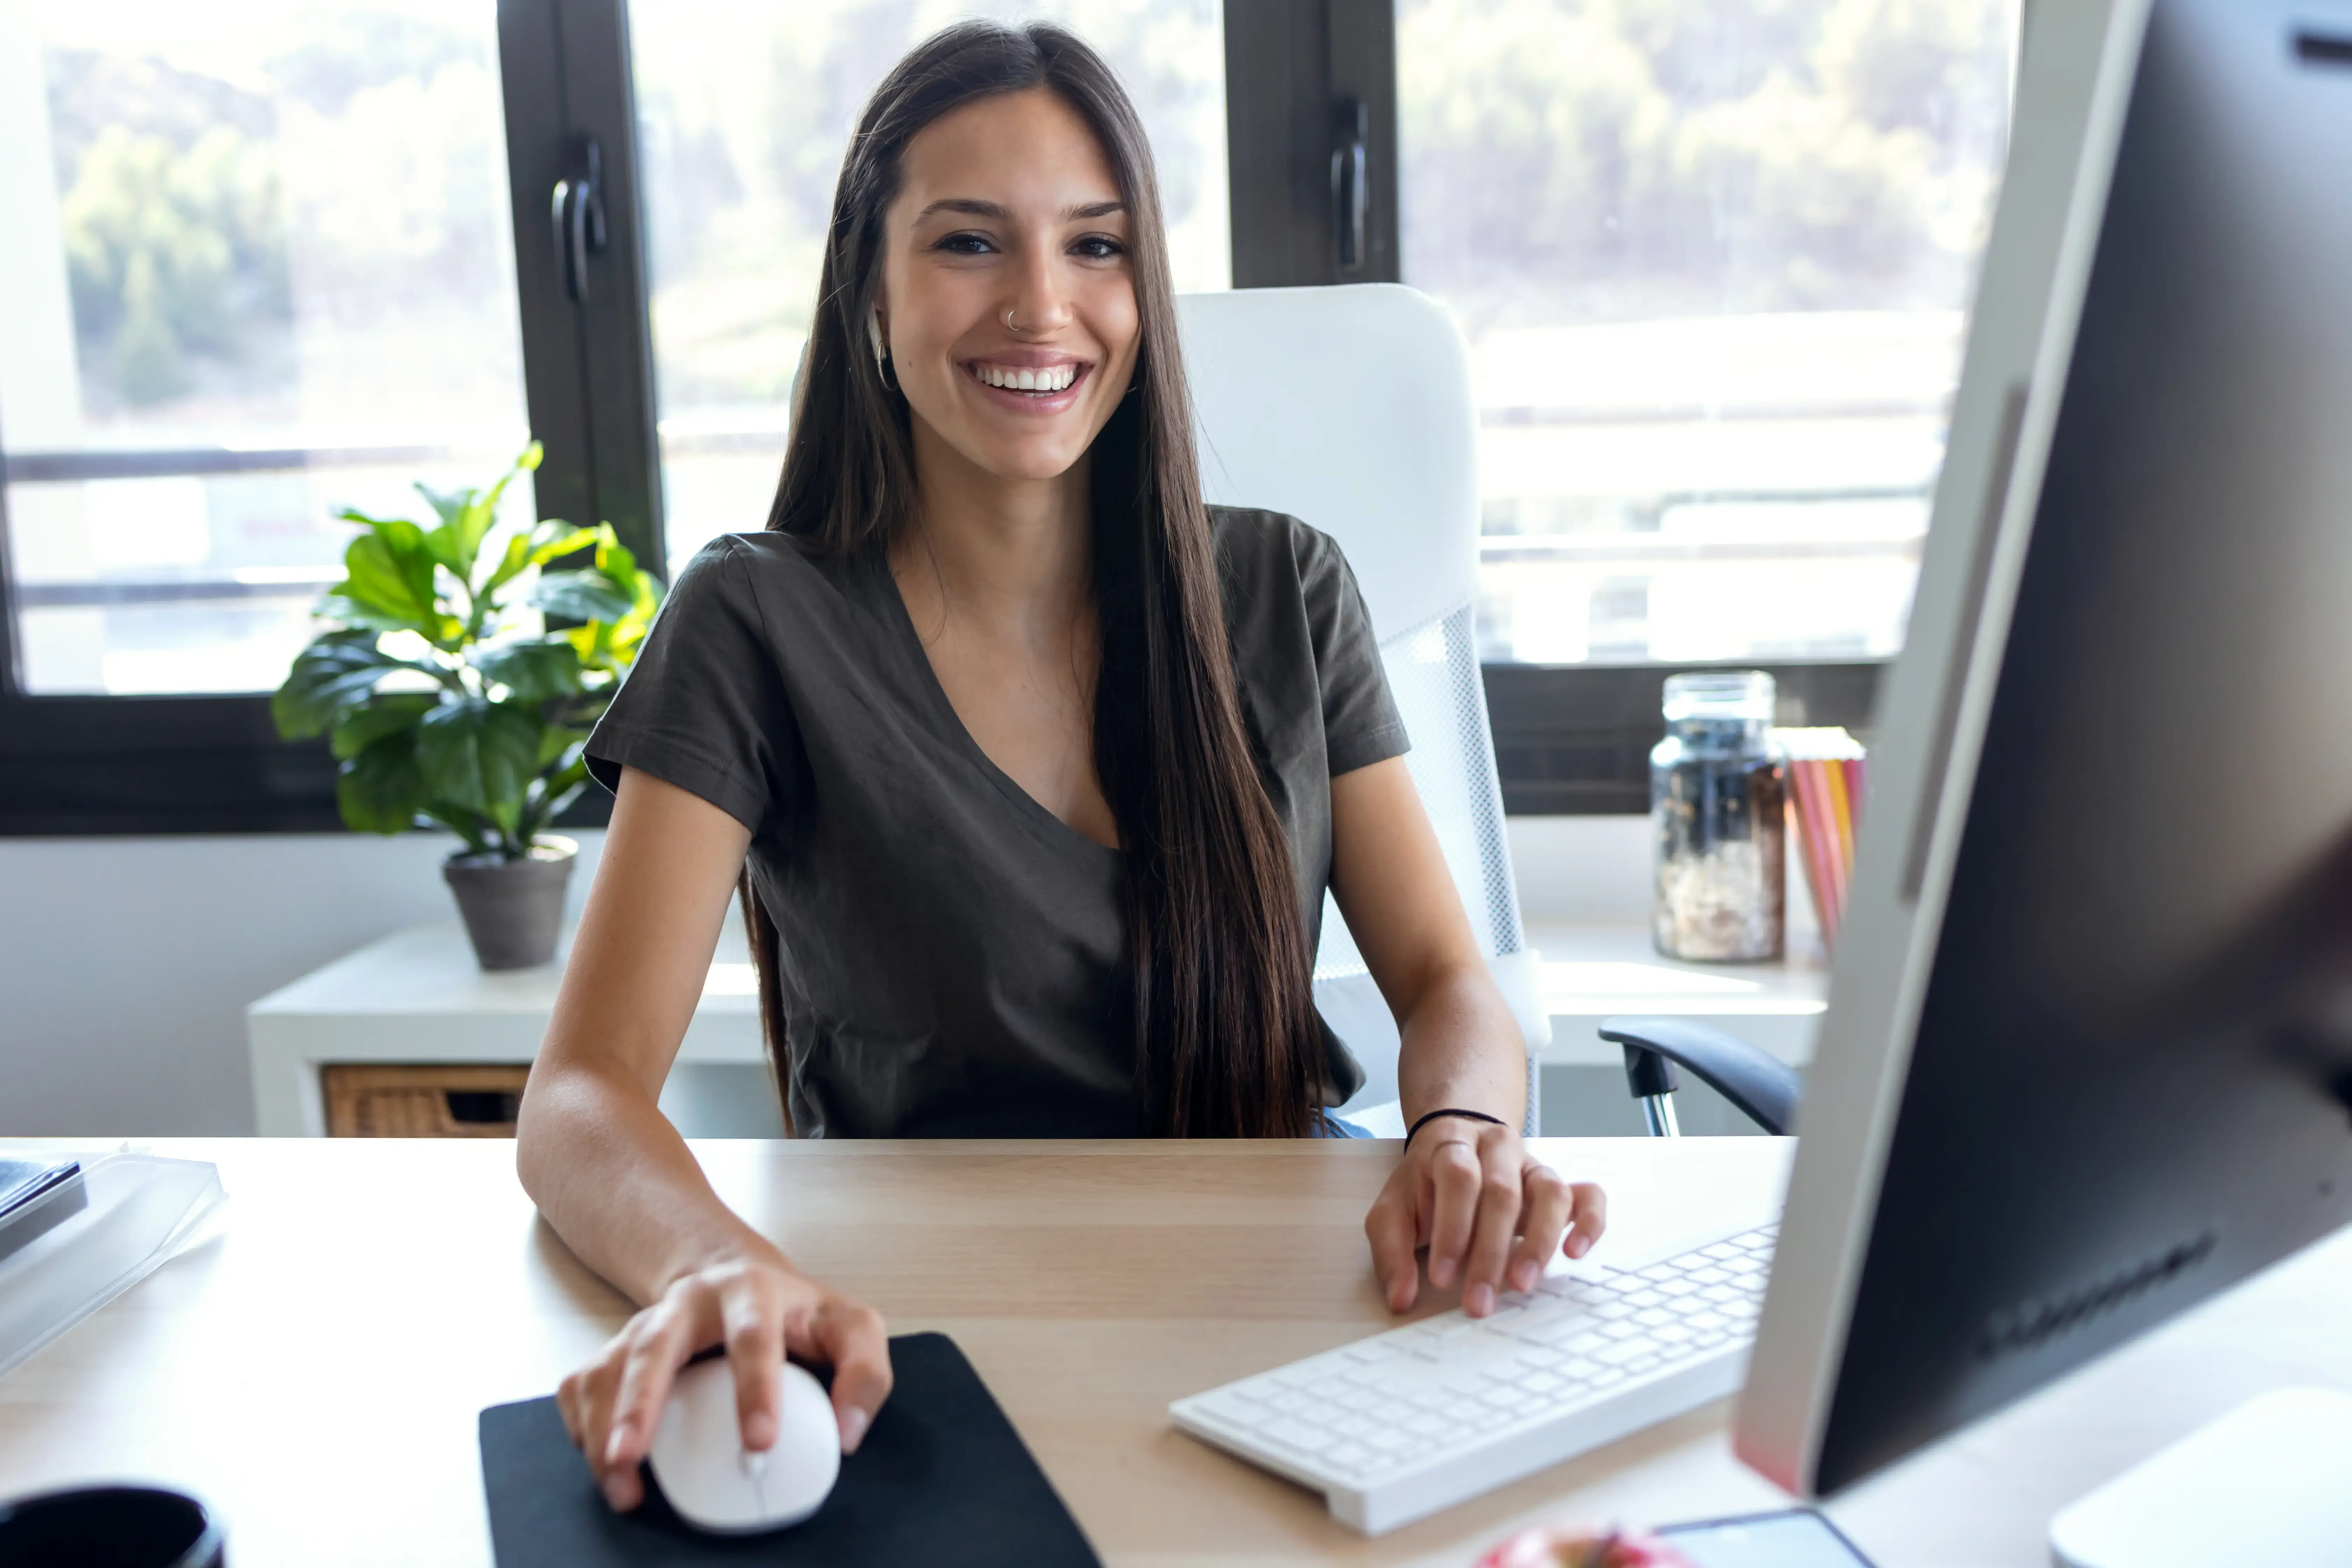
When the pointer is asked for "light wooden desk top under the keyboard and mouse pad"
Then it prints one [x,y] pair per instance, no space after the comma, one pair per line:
[316,1369]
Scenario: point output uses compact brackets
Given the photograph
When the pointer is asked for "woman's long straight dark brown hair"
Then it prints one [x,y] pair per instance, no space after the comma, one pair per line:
[1222,1007]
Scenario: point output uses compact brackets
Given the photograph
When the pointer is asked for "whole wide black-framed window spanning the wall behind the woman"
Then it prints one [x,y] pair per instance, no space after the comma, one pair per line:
[276,260]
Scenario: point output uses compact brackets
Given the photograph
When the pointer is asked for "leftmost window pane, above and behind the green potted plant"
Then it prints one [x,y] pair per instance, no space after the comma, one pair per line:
[260,269]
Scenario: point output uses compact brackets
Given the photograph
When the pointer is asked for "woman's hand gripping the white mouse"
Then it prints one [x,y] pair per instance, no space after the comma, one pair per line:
[761,1311]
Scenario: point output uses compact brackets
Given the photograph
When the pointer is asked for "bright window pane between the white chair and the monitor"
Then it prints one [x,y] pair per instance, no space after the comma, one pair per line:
[1713,260]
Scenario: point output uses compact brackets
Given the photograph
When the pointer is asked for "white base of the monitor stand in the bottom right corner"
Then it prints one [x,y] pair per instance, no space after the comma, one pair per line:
[2264,1485]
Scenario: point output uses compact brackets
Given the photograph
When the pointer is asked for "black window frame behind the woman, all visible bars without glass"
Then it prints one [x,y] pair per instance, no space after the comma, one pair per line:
[1304,83]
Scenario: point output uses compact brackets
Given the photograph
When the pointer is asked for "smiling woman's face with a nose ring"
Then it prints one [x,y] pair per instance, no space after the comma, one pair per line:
[1008,295]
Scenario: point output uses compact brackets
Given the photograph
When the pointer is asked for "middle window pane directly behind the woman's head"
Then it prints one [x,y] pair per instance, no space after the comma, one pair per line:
[742,123]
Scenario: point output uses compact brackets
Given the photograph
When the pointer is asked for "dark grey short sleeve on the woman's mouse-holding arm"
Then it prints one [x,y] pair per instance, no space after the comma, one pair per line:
[704,706]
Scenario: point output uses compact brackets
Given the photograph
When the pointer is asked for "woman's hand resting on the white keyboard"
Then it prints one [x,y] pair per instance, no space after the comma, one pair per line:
[1490,1212]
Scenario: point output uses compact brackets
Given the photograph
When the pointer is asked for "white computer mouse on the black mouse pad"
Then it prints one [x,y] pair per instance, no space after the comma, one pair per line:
[716,1485]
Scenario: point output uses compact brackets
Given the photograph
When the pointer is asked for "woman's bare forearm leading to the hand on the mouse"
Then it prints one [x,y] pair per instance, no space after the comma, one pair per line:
[620,1186]
